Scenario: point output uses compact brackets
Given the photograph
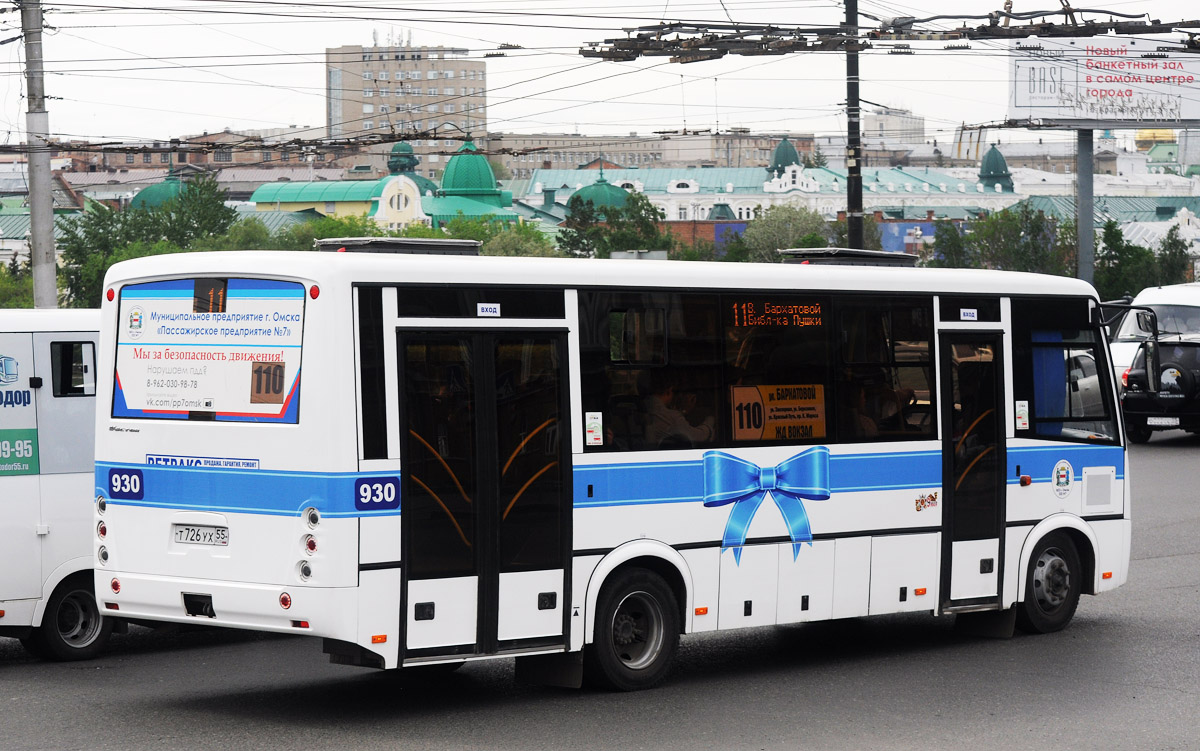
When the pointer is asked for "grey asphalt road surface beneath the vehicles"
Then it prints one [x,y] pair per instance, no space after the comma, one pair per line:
[1125,675]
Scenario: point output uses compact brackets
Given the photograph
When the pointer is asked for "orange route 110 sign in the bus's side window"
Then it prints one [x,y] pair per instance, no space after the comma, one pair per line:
[779,413]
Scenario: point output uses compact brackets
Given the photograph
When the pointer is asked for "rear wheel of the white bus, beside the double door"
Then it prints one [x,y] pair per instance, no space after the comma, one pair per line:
[637,633]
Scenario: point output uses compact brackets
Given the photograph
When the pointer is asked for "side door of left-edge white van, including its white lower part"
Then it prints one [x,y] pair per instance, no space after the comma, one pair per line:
[21,574]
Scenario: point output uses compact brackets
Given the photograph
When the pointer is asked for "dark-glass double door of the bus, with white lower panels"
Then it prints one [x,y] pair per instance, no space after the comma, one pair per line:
[487,500]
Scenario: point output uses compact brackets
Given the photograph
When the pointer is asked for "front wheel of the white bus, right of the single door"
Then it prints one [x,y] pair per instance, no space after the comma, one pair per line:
[1052,586]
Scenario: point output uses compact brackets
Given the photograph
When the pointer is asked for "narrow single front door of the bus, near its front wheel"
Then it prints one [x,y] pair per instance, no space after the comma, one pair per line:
[974,468]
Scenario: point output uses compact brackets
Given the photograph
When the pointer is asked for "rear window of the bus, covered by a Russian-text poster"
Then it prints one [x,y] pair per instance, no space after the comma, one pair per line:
[225,350]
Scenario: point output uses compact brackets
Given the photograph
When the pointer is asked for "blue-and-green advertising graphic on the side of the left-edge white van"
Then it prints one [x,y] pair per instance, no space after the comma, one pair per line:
[19,413]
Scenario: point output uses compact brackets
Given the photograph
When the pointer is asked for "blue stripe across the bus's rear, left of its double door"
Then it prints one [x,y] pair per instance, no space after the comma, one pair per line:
[250,491]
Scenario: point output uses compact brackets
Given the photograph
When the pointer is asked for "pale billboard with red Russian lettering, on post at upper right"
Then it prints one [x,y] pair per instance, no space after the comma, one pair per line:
[1102,82]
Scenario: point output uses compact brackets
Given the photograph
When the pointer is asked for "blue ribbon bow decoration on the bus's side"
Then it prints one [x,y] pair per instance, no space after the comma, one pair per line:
[733,480]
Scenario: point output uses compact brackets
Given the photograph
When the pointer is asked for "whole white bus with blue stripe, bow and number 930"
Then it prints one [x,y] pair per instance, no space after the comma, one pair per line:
[431,460]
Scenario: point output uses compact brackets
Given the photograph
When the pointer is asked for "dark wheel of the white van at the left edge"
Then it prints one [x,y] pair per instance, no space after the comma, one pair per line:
[73,628]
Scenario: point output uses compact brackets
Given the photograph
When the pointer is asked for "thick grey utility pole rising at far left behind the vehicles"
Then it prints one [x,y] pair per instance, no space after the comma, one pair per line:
[38,129]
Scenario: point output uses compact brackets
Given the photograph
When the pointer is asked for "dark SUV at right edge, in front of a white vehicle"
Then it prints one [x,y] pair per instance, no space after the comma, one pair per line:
[1177,402]
